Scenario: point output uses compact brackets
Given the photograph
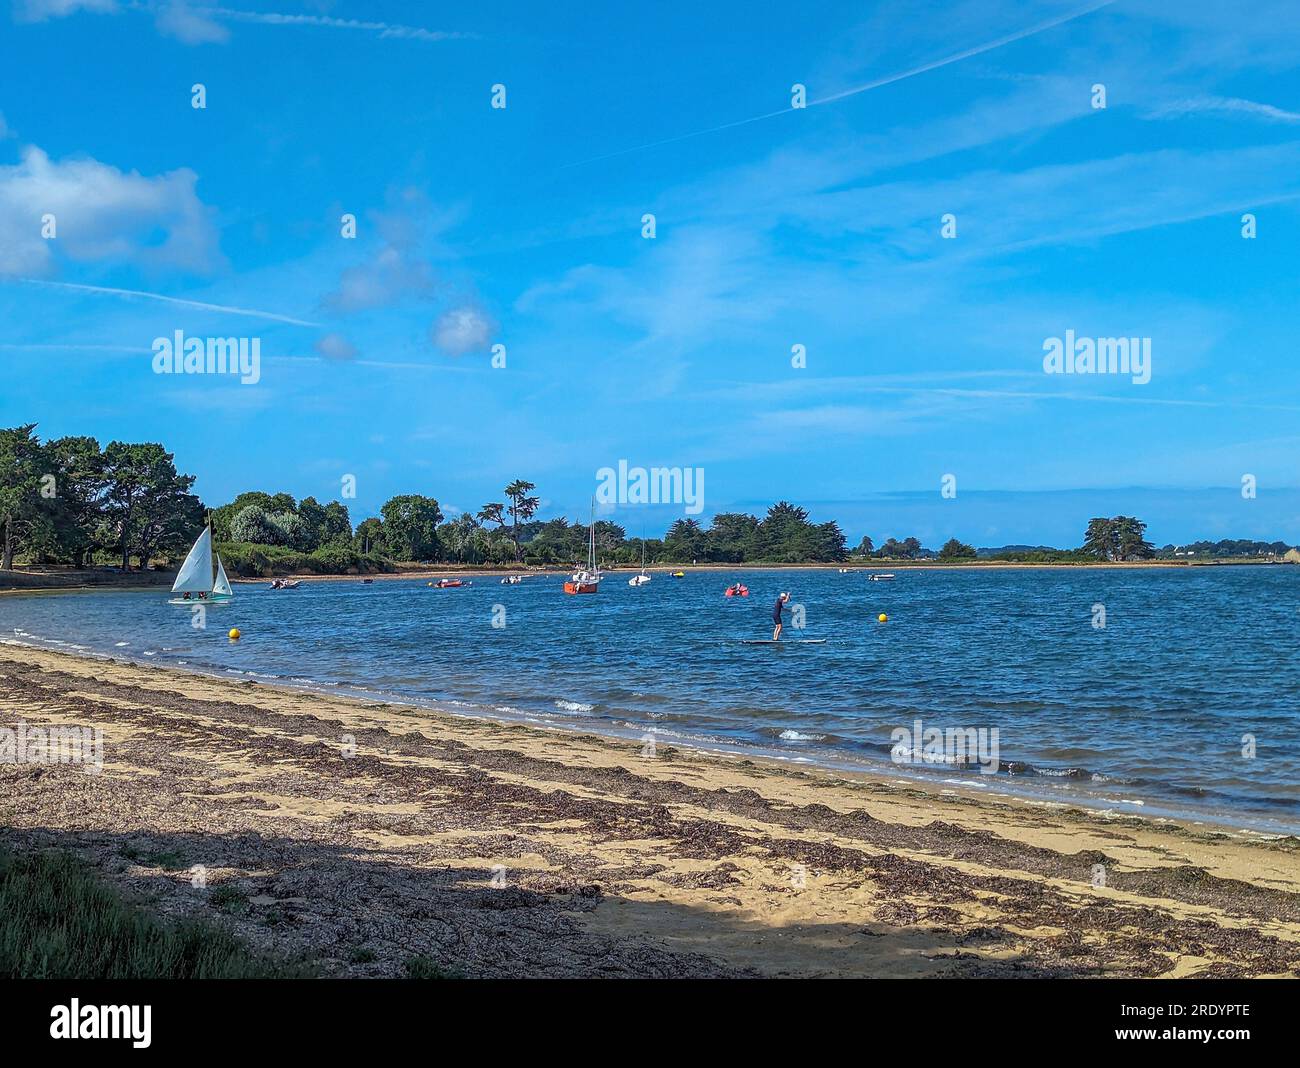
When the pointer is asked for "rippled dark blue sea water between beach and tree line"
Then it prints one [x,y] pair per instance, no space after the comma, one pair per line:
[1181,696]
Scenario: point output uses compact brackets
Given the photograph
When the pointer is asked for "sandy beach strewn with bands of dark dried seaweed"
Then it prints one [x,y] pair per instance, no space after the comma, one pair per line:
[357,836]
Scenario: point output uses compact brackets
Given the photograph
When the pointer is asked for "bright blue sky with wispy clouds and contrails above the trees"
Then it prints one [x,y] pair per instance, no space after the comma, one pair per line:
[816,227]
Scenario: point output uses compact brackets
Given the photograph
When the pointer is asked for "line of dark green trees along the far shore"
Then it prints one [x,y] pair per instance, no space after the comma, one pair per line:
[72,502]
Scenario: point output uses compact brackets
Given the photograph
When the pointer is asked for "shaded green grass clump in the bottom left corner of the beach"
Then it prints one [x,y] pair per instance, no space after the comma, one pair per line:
[60,921]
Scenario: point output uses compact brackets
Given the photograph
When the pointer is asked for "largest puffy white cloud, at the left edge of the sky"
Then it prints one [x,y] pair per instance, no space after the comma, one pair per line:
[102,215]
